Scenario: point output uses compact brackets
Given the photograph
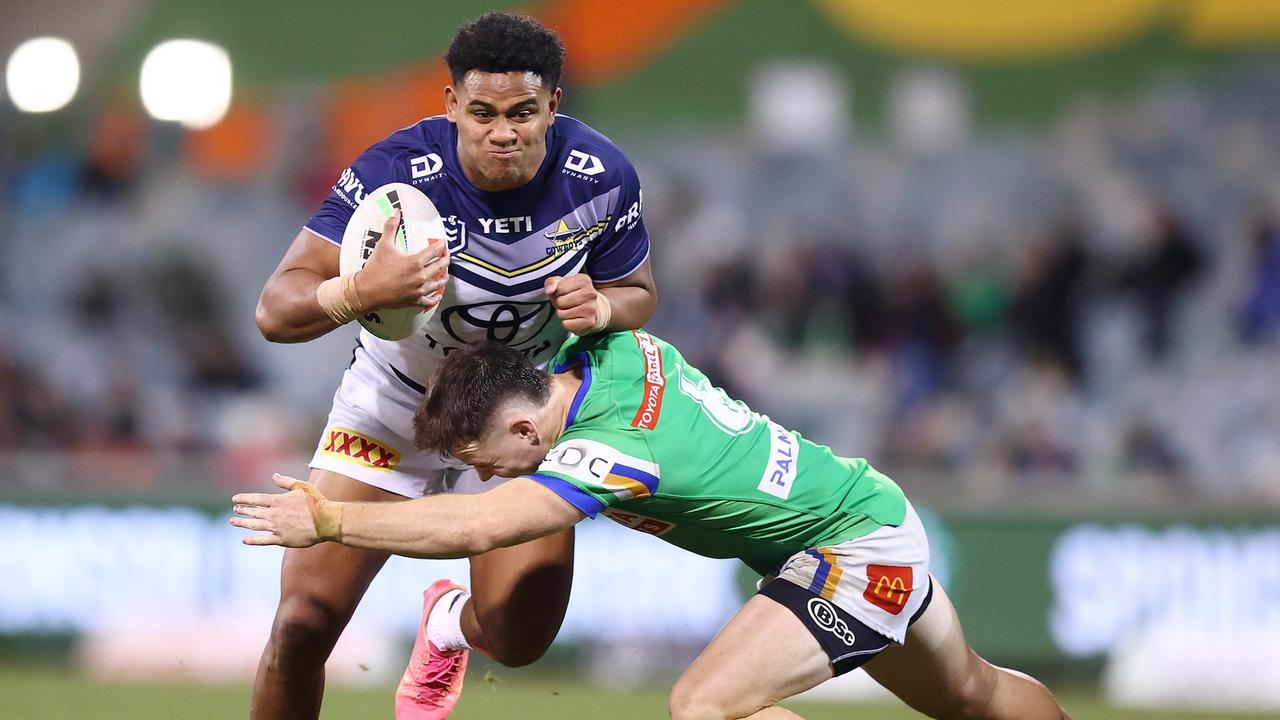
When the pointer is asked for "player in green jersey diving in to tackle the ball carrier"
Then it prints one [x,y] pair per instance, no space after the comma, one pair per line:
[625,427]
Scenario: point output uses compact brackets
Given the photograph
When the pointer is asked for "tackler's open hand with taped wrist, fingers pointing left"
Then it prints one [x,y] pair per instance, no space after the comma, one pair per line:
[299,518]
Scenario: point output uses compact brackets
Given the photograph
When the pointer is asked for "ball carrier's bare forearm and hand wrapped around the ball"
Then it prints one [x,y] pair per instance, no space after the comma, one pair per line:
[290,308]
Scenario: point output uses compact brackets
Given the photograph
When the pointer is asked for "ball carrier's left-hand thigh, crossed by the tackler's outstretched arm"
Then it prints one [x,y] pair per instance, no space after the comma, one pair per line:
[322,585]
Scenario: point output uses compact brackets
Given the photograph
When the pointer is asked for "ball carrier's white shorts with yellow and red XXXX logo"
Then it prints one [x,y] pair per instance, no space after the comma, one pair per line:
[369,436]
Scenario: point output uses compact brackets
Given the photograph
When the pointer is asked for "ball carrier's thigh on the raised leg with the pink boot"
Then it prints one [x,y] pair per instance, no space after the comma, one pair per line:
[528,582]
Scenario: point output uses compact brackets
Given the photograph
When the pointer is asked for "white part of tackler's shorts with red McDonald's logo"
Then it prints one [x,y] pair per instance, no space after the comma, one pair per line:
[881,578]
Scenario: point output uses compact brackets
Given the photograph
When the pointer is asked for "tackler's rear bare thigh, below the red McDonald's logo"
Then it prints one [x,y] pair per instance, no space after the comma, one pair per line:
[935,669]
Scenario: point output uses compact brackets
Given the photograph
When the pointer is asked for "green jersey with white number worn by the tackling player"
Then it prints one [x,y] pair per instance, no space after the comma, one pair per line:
[655,446]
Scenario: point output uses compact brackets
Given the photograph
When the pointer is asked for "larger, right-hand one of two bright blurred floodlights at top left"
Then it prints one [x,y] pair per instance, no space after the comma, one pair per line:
[188,81]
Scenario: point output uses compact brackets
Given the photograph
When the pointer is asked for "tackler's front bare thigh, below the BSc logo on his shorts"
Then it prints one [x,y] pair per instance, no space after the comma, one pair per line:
[764,655]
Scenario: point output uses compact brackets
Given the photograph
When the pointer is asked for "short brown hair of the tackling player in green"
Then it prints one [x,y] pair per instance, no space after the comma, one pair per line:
[468,388]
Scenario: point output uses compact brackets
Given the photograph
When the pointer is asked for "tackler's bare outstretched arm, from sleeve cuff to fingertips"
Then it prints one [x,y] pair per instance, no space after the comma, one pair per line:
[441,526]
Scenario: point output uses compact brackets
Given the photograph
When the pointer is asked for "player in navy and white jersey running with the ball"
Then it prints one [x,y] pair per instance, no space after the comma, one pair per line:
[545,238]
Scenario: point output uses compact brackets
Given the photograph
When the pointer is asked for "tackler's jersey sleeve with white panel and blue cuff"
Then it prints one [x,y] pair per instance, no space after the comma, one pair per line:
[593,472]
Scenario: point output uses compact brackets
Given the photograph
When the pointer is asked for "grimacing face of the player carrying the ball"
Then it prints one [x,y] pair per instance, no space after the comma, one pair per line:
[502,121]
